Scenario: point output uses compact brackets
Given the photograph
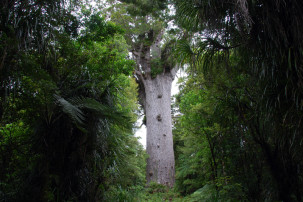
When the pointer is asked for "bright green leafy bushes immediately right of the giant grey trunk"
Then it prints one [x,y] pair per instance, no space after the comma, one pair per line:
[209,139]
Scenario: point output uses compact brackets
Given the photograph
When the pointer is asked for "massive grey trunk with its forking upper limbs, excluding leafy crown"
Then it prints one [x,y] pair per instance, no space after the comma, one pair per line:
[155,97]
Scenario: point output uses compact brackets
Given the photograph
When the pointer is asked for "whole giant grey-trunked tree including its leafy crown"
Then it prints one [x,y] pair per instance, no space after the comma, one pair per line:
[154,73]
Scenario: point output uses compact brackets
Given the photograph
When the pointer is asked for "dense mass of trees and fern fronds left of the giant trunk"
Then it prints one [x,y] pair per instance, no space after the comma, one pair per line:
[67,109]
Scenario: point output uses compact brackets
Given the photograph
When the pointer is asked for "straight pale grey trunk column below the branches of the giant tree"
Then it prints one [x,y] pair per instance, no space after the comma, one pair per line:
[161,161]
